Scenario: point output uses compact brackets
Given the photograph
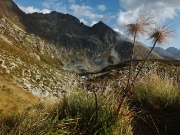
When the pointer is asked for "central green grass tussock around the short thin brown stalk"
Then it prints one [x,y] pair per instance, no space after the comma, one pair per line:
[81,108]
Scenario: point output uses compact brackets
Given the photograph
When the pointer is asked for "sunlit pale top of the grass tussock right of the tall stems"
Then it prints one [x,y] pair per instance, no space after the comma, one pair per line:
[158,93]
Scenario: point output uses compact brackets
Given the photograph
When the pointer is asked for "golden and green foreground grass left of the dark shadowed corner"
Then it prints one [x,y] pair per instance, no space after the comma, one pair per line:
[22,113]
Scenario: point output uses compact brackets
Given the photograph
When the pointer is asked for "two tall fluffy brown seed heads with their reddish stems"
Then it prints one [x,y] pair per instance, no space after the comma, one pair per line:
[158,35]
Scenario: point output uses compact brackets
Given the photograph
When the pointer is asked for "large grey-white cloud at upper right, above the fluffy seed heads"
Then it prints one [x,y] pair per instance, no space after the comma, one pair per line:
[160,9]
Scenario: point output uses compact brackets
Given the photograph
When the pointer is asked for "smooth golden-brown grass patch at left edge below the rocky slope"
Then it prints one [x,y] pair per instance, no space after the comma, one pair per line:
[14,99]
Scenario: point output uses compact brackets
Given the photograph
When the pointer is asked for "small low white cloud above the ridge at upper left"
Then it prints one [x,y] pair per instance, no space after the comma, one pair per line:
[31,9]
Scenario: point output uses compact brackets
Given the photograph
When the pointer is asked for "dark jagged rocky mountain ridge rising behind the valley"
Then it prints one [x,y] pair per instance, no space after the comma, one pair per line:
[79,47]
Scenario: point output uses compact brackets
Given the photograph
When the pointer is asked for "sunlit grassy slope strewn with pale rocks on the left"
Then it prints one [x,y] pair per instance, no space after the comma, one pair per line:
[30,62]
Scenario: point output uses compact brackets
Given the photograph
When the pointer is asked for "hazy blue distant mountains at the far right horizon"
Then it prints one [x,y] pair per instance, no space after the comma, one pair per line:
[169,53]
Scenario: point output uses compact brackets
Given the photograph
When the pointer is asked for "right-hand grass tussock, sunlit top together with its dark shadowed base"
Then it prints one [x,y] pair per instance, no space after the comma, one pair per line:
[157,103]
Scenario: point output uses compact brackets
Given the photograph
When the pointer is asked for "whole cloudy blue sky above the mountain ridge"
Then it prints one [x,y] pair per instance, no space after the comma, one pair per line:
[115,13]
